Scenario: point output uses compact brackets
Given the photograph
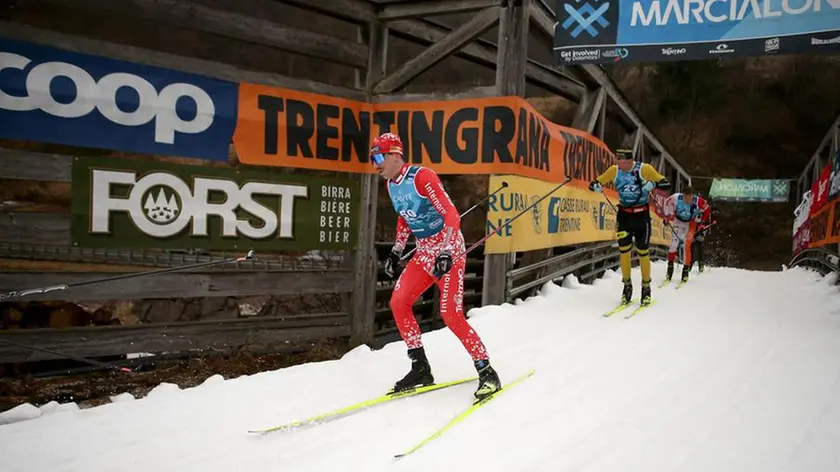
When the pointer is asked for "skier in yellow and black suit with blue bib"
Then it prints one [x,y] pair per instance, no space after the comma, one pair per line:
[633,181]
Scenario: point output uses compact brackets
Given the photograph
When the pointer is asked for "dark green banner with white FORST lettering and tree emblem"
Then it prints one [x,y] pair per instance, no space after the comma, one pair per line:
[141,203]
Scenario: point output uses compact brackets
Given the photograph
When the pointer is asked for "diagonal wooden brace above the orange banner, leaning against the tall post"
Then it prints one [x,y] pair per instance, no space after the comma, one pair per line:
[475,27]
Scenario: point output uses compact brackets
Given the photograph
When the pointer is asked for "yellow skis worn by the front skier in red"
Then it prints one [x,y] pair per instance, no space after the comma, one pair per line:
[361,406]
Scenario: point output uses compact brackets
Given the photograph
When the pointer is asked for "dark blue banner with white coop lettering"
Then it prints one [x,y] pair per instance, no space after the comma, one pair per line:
[56,96]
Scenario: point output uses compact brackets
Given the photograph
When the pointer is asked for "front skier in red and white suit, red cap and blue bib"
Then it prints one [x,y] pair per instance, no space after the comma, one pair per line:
[425,210]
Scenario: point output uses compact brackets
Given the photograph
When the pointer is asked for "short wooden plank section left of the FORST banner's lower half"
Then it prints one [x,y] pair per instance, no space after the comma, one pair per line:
[35,228]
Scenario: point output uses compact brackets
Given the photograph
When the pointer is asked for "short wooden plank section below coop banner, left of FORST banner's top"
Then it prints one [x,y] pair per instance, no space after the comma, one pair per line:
[24,165]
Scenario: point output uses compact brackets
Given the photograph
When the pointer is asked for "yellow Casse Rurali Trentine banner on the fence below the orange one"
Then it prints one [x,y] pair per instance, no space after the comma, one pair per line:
[572,214]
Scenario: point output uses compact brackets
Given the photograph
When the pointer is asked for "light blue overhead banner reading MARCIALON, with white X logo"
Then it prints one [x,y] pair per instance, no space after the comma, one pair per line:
[606,31]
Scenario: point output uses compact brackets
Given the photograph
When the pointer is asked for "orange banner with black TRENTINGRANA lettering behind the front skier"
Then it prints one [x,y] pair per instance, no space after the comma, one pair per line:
[502,135]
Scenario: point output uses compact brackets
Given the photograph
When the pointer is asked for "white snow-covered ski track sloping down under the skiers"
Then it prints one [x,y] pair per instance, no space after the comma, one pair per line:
[736,371]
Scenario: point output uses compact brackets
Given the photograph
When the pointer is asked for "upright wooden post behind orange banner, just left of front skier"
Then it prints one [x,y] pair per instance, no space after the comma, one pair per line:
[364,293]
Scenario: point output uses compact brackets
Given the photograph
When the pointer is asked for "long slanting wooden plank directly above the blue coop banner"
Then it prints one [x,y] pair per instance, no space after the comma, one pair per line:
[148,57]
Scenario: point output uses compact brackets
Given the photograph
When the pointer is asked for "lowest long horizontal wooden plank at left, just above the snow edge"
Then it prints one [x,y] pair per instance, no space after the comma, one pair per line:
[170,337]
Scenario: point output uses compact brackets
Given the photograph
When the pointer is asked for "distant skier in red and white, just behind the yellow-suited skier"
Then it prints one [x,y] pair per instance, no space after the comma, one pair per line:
[680,210]
